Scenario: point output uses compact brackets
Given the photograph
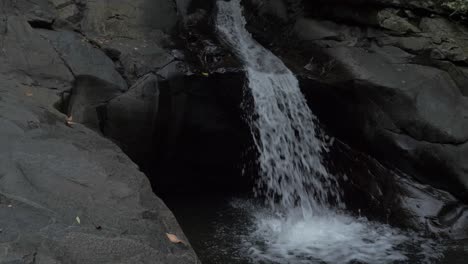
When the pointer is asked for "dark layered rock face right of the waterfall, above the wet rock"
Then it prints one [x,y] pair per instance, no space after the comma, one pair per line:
[388,76]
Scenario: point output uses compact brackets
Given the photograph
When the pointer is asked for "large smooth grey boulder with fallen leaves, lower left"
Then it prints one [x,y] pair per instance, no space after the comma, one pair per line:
[70,196]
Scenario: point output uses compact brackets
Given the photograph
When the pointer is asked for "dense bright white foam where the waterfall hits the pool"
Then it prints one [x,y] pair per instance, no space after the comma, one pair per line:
[337,239]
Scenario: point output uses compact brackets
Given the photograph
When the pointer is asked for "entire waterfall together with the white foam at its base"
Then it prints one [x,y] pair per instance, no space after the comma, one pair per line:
[302,228]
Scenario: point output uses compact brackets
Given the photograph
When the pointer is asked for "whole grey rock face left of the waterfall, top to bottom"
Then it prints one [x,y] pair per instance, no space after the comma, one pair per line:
[68,195]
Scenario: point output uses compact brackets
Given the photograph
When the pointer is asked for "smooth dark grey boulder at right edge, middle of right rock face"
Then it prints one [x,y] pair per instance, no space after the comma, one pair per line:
[417,99]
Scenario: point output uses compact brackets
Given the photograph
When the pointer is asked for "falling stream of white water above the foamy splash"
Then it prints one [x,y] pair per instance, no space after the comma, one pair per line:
[291,167]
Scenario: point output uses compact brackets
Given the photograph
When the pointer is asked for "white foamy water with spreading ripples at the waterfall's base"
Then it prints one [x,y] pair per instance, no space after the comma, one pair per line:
[335,238]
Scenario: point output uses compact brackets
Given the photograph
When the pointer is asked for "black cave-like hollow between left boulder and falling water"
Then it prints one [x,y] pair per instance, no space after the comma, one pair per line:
[202,140]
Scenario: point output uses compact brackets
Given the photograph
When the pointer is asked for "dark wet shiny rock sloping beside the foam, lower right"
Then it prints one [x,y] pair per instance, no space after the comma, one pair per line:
[388,195]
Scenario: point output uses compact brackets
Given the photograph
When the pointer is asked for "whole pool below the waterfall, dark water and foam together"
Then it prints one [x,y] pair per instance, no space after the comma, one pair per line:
[226,230]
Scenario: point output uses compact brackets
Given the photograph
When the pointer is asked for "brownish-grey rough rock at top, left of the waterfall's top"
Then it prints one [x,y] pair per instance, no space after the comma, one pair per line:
[136,33]
